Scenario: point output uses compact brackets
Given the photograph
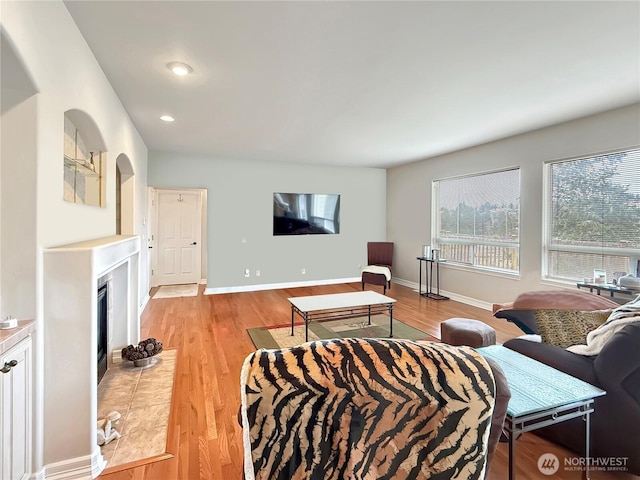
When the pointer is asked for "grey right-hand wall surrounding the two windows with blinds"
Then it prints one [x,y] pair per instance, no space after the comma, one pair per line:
[409,199]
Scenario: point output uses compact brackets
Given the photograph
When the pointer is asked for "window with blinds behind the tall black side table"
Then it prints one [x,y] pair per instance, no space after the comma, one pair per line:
[477,220]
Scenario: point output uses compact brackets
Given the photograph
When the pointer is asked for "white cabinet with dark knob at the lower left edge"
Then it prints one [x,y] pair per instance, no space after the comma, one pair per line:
[15,411]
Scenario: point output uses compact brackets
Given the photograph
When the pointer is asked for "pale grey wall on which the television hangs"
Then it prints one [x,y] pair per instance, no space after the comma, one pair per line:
[239,206]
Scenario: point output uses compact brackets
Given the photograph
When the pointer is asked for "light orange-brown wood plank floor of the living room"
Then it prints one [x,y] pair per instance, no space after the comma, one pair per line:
[209,332]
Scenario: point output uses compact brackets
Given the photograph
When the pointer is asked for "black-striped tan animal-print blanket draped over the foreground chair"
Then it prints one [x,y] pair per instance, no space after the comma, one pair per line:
[366,409]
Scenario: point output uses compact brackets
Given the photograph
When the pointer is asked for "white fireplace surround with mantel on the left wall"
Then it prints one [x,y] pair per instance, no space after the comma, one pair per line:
[71,275]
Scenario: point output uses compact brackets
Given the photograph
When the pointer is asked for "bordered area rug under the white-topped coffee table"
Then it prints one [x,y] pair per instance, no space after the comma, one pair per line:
[280,336]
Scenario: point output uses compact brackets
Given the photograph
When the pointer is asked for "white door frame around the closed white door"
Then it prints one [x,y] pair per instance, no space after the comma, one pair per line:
[153,228]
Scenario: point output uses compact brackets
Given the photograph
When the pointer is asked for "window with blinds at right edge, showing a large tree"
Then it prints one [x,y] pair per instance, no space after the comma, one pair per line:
[593,216]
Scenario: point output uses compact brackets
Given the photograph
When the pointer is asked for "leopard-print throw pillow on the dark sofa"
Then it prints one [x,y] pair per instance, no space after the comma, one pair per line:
[563,328]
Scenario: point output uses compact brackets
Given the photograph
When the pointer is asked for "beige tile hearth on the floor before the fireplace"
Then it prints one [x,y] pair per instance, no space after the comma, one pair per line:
[143,398]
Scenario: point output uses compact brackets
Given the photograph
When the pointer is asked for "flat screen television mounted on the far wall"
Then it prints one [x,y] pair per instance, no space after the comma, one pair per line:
[306,213]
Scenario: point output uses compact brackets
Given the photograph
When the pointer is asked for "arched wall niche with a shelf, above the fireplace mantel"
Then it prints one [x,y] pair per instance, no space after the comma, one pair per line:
[84,160]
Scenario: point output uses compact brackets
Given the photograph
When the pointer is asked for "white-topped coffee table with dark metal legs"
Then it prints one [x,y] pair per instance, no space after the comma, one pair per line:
[340,305]
